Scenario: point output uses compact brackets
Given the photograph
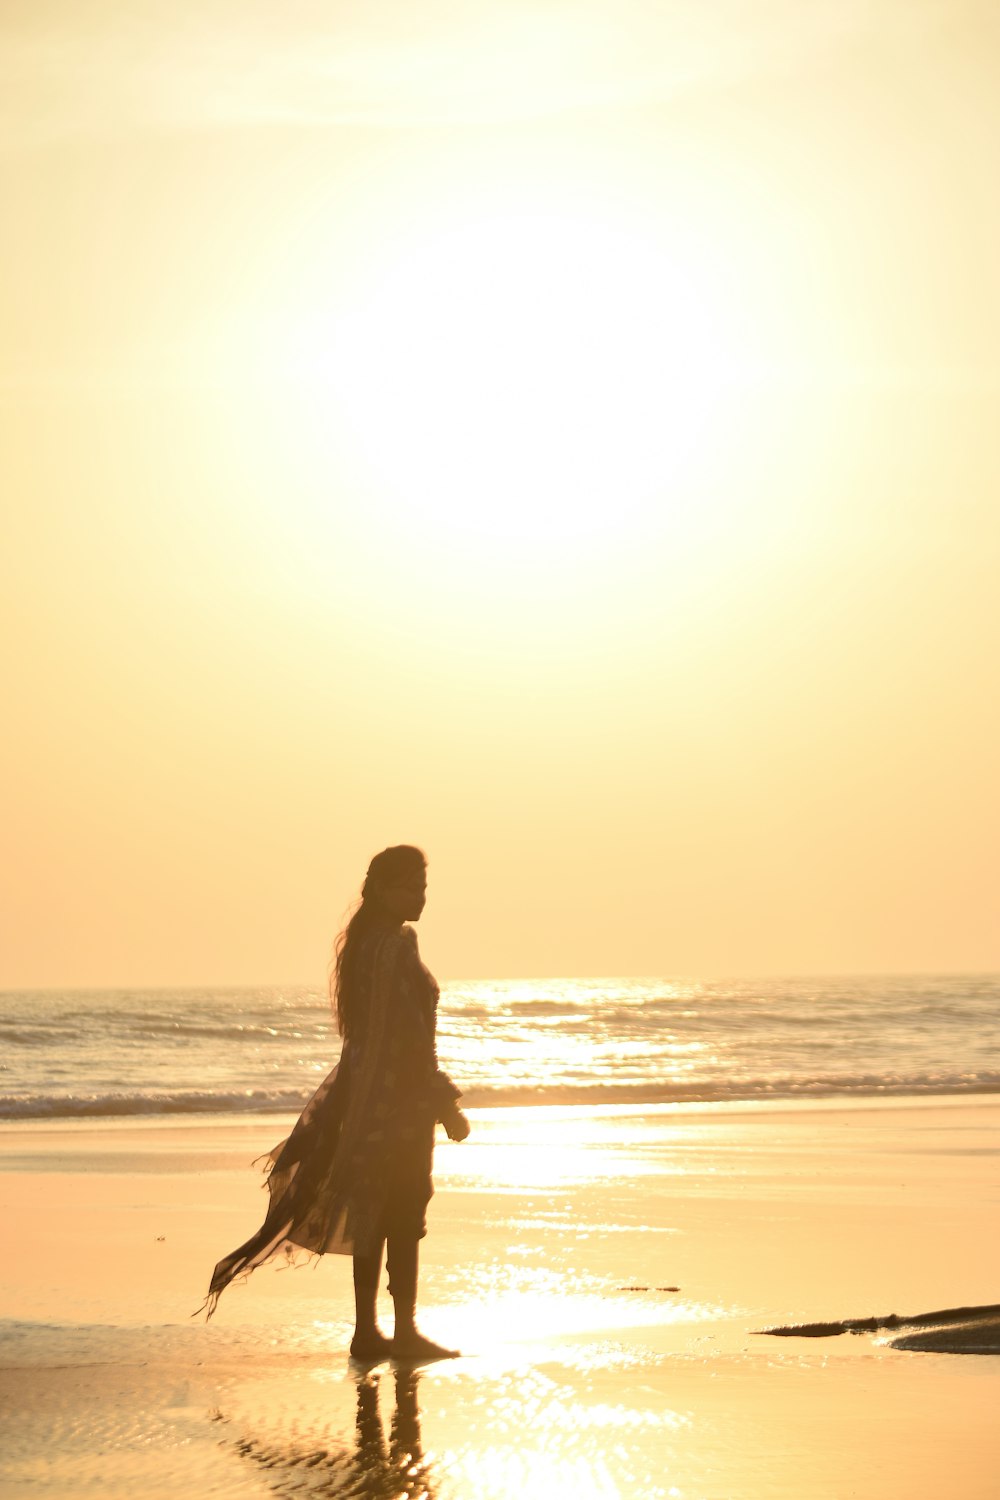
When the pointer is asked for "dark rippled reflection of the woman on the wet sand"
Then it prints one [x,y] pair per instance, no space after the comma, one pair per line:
[373,1469]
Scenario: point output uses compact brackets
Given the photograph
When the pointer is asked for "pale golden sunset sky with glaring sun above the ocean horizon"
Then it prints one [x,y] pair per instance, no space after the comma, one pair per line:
[564,436]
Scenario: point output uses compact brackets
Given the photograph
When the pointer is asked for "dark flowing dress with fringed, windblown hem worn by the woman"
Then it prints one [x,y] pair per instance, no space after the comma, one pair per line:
[359,1163]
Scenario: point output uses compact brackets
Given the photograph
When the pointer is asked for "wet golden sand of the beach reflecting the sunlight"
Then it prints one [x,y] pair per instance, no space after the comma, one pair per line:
[608,1276]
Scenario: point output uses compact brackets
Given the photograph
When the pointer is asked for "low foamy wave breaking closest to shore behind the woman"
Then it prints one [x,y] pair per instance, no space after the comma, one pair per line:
[275,1102]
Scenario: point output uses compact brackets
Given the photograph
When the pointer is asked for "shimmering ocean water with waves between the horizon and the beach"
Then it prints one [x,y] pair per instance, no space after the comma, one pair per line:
[104,1054]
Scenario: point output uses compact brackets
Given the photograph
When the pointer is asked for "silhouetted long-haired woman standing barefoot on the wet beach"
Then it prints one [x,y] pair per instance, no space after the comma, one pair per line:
[355,1175]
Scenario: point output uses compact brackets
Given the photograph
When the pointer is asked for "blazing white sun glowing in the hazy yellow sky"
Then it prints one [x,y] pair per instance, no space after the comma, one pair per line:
[528,377]
